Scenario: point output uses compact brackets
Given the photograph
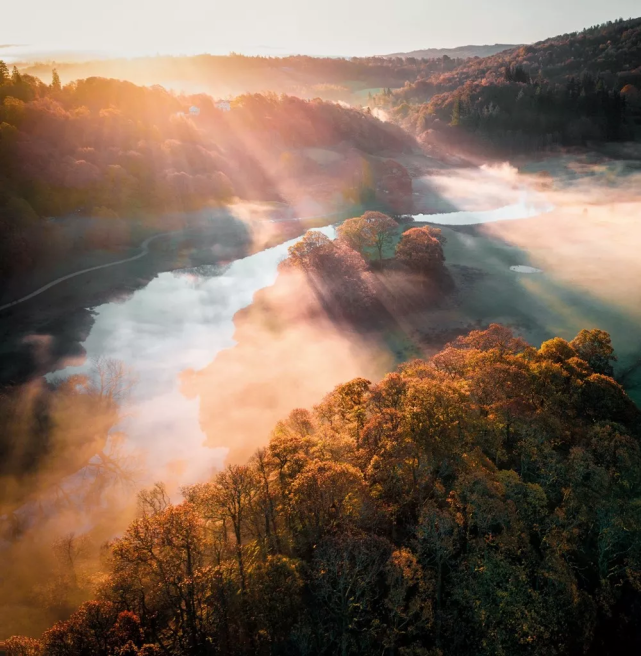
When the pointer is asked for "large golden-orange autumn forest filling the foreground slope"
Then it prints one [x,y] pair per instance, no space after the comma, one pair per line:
[484,501]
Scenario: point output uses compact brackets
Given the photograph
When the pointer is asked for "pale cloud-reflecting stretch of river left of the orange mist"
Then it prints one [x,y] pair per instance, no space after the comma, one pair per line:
[179,321]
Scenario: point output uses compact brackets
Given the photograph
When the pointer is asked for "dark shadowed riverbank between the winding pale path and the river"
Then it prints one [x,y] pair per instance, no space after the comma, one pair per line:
[63,315]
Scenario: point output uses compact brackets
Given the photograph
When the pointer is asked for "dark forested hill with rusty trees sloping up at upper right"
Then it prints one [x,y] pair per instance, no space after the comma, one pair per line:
[568,90]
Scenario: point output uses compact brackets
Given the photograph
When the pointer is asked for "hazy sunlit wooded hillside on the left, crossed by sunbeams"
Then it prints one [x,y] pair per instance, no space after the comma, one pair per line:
[114,151]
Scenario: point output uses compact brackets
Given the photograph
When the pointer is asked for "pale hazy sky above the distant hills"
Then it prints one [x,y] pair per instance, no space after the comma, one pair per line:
[328,27]
